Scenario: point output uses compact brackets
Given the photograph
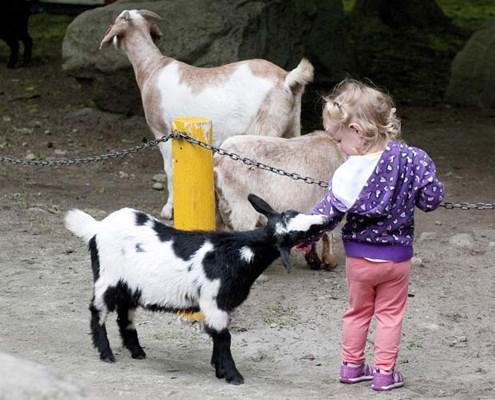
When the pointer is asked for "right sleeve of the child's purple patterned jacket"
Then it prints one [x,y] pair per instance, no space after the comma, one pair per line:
[431,190]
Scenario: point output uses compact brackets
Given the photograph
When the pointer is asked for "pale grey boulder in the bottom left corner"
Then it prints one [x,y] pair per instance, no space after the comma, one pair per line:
[24,380]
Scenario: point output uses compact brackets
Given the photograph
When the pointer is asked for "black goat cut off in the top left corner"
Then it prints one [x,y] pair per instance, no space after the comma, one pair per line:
[14,28]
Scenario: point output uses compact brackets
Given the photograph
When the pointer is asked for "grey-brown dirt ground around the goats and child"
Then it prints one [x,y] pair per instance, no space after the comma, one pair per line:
[286,336]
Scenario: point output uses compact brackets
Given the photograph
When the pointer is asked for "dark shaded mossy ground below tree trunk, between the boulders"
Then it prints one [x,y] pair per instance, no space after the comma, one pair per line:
[413,64]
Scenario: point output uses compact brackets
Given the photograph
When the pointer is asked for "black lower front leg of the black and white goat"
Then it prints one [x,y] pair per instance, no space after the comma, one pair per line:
[222,357]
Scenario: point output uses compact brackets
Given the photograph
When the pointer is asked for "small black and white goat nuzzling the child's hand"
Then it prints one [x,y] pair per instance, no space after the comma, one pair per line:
[139,261]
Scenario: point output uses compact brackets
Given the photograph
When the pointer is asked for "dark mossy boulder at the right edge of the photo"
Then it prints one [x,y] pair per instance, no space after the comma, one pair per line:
[472,80]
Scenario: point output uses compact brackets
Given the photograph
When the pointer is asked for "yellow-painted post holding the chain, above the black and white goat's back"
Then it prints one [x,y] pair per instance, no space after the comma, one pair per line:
[194,193]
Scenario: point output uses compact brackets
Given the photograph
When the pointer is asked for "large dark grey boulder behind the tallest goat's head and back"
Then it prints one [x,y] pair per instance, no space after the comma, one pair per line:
[208,33]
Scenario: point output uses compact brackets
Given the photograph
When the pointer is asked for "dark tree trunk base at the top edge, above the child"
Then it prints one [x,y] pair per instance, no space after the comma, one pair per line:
[404,13]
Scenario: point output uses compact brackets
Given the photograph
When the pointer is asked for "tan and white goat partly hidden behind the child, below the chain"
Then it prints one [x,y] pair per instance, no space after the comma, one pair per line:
[315,155]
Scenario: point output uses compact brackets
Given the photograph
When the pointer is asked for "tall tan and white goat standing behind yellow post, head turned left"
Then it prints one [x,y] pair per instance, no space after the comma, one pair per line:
[247,97]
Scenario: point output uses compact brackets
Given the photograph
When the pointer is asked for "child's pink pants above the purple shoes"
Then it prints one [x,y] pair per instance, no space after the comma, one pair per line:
[380,289]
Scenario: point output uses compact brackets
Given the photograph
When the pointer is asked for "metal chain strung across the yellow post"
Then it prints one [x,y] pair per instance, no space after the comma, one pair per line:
[214,149]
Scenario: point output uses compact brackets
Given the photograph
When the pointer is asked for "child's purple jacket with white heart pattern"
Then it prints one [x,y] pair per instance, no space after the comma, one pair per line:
[380,224]
